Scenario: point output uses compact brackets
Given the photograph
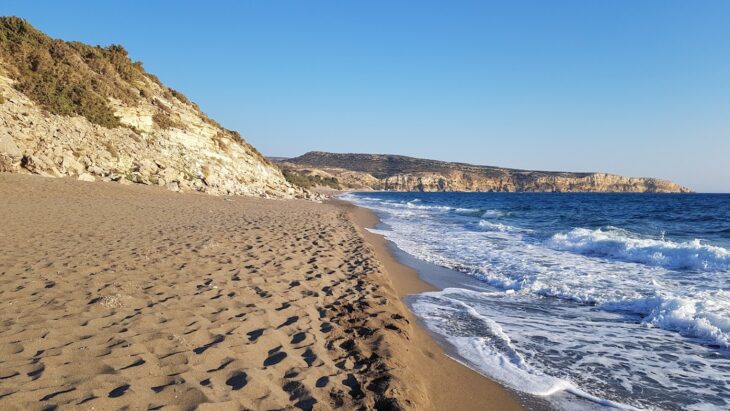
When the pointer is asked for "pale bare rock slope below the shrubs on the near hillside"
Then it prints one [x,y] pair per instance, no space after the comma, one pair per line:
[194,154]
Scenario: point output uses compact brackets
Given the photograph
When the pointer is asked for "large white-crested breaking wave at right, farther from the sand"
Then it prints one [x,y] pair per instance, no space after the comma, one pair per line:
[626,246]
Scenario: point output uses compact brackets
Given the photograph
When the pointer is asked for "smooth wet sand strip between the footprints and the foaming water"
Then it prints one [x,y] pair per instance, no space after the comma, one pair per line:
[454,382]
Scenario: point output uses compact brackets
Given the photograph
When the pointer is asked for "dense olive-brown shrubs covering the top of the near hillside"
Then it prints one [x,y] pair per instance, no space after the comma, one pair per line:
[68,78]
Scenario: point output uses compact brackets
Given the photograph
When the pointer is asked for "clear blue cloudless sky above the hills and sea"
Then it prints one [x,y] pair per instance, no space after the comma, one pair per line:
[639,88]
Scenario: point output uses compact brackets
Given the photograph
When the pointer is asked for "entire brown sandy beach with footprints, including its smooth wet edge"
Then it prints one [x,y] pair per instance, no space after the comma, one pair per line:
[118,296]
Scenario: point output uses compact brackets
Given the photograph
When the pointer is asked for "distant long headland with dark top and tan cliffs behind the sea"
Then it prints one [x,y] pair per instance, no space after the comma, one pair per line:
[400,173]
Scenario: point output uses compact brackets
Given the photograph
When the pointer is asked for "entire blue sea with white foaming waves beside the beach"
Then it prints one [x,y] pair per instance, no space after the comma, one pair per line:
[585,300]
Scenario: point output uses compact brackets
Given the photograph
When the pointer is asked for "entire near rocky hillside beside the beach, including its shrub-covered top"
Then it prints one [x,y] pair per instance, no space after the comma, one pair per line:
[69,109]
